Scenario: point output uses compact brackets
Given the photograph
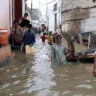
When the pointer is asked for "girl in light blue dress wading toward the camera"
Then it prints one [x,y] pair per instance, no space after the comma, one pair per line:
[58,51]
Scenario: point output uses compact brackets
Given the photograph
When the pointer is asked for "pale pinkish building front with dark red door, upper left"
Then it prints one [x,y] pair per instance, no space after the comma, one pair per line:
[11,10]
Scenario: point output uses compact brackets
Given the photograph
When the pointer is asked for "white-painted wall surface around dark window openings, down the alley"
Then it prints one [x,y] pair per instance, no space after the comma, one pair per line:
[51,14]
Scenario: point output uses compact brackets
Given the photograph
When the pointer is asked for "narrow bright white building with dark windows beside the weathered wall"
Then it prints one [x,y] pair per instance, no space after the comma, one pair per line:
[53,15]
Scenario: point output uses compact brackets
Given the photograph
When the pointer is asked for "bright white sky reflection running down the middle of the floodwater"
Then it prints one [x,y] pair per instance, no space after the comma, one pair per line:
[43,73]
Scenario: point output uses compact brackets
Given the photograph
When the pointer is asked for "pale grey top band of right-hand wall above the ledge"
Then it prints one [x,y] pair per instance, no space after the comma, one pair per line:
[70,4]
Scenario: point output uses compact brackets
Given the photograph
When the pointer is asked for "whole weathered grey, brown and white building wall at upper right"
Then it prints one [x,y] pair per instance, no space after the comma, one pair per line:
[78,16]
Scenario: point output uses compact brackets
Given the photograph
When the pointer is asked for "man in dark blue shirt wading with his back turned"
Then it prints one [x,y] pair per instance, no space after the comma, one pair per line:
[28,38]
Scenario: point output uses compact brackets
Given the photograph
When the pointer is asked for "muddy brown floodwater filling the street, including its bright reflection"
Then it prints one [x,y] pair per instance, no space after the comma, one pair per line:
[35,76]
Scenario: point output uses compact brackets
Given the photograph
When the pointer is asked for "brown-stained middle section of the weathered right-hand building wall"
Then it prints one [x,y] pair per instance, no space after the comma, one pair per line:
[71,19]
